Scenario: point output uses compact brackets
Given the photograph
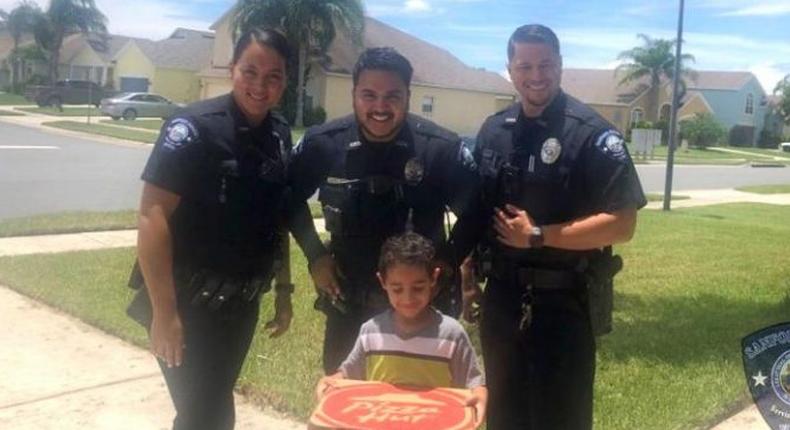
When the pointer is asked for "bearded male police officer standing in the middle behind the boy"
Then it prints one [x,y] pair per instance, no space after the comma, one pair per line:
[378,172]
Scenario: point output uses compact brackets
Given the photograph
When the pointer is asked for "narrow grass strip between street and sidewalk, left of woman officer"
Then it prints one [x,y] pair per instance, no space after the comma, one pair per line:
[68,222]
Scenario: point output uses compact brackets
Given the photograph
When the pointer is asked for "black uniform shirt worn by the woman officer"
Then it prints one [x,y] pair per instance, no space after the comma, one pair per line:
[231,180]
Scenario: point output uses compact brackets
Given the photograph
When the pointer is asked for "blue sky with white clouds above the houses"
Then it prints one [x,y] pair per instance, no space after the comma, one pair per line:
[742,35]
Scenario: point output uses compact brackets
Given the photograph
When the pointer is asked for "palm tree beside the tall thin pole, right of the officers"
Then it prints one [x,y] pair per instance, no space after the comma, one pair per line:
[655,59]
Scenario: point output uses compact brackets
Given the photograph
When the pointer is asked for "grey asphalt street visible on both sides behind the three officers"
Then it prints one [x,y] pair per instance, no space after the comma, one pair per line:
[44,172]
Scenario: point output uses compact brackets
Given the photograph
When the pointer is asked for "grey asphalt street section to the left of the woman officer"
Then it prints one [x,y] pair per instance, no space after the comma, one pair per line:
[43,172]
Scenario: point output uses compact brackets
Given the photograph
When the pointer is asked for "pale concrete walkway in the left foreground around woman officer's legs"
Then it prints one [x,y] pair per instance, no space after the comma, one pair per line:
[59,373]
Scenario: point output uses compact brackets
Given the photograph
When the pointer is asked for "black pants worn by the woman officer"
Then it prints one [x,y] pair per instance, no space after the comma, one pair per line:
[216,344]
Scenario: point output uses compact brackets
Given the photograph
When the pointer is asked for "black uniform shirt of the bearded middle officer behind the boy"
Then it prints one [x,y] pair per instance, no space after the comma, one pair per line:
[433,167]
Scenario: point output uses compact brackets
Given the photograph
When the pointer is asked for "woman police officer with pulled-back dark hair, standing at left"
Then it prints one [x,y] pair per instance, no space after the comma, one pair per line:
[208,232]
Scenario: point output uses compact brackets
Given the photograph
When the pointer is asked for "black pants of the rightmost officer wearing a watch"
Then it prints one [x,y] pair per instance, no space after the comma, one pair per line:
[540,378]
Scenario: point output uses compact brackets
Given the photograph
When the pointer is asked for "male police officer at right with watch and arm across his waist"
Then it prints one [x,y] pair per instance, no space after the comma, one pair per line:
[559,188]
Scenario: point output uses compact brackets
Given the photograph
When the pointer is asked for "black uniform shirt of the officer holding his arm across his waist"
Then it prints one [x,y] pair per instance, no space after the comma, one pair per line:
[569,163]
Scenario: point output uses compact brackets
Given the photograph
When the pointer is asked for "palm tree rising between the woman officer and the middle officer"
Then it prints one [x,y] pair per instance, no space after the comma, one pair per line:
[310,26]
